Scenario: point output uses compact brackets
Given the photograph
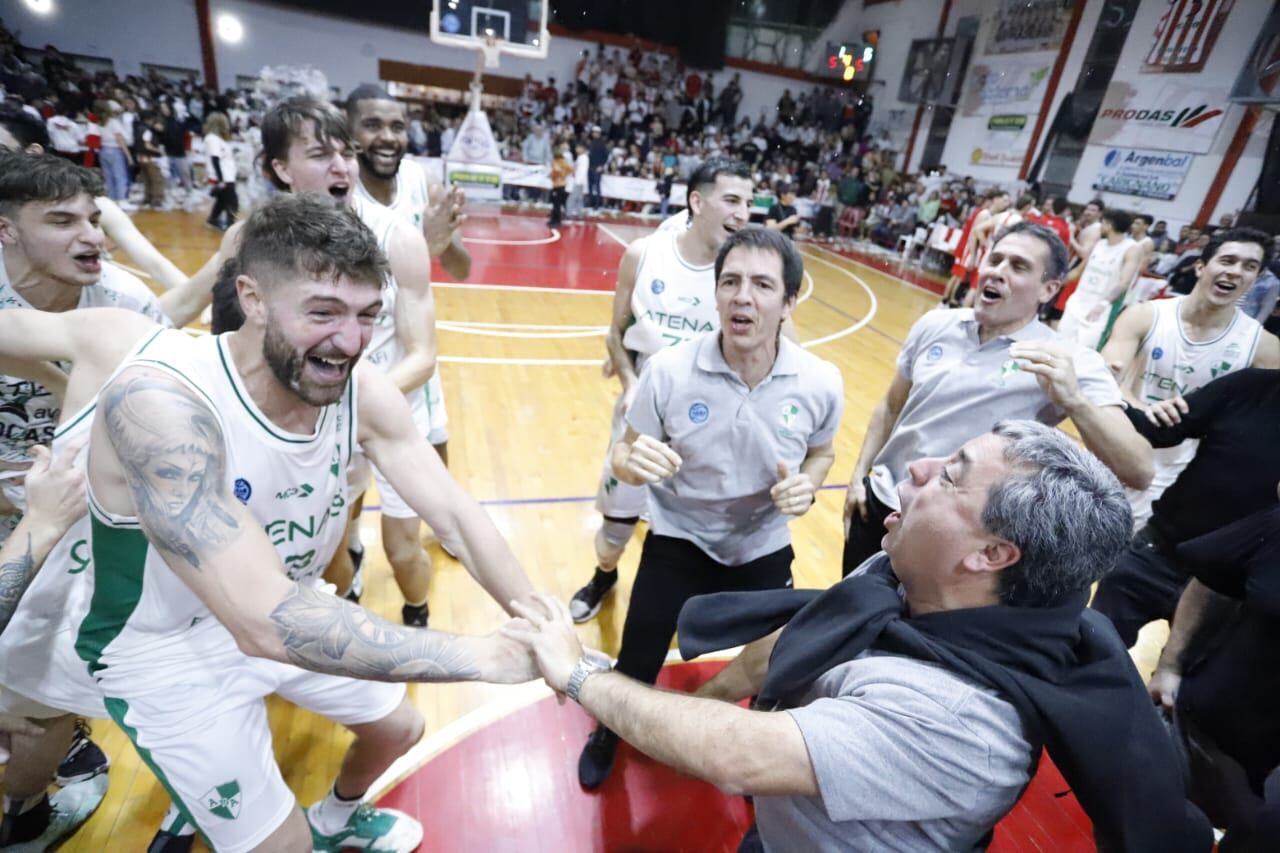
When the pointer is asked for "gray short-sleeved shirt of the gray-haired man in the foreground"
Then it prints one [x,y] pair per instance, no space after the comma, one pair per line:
[908,758]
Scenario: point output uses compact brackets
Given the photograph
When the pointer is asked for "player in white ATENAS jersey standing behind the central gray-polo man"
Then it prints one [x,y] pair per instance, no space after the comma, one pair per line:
[665,295]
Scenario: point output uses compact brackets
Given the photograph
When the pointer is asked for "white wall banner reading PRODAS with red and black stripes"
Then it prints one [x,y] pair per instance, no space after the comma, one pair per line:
[1176,116]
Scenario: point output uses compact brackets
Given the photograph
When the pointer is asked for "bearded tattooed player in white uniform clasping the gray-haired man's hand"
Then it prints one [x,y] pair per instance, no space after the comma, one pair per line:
[198,449]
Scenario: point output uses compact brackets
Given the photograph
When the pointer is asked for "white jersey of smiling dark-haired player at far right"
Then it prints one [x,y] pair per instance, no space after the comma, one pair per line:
[1176,366]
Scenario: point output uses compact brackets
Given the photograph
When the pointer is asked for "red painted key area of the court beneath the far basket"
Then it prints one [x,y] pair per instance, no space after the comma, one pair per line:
[583,258]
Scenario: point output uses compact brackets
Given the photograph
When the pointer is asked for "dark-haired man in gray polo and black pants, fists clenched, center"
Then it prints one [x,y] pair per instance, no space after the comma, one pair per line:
[733,432]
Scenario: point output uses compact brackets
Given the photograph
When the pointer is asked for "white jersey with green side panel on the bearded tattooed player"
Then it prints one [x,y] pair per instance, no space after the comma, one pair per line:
[143,615]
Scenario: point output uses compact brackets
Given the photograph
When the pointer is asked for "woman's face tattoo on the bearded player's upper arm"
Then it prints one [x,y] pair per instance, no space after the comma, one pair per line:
[172,450]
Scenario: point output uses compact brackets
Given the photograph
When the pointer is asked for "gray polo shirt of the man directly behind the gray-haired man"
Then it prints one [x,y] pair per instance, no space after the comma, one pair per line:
[962,387]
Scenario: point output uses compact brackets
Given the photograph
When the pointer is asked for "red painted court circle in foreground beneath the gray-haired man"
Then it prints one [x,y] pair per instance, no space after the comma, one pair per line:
[514,786]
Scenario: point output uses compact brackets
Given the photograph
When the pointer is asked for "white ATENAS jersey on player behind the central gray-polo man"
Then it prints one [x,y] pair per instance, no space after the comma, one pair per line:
[673,302]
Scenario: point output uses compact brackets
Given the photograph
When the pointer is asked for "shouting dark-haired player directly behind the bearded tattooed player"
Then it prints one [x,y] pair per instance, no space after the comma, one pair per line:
[308,148]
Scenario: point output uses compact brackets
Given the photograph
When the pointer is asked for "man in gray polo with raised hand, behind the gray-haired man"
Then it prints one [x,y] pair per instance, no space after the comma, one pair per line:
[962,372]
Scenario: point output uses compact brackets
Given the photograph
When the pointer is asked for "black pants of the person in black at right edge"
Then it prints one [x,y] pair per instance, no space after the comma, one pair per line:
[1145,586]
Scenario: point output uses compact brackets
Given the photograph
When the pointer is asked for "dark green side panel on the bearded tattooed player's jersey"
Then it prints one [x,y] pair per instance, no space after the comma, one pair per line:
[120,564]
